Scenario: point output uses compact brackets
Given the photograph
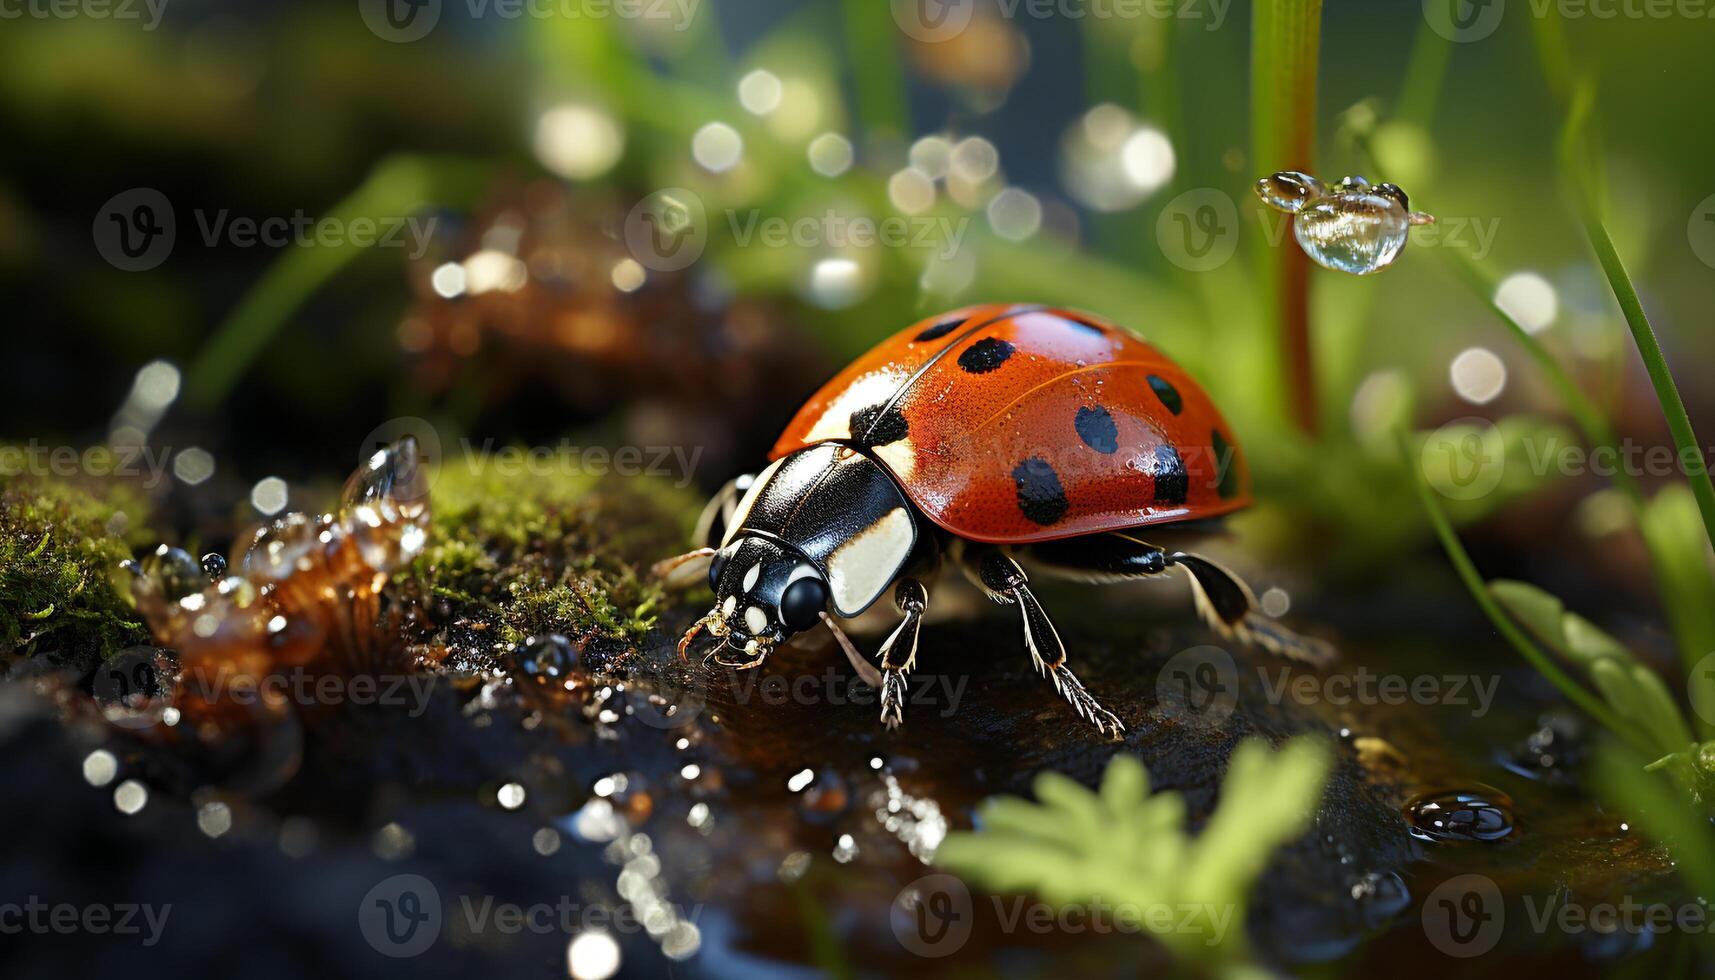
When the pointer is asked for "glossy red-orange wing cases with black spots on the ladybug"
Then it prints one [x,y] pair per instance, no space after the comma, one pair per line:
[1014,423]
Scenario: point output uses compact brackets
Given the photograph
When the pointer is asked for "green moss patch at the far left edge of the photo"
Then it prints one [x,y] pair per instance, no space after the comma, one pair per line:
[59,548]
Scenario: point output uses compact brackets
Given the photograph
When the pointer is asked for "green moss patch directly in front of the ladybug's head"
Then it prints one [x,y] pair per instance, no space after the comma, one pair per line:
[569,554]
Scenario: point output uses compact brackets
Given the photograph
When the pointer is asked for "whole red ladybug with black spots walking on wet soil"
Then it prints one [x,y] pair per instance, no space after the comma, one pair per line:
[992,439]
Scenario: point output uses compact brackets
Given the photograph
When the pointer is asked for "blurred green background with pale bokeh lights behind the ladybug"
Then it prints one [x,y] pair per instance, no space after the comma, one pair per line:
[282,109]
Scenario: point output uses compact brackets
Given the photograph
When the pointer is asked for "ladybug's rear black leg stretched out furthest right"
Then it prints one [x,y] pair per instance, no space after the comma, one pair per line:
[1224,600]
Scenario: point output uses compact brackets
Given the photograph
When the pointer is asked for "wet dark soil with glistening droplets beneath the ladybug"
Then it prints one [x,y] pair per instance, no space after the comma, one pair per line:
[769,821]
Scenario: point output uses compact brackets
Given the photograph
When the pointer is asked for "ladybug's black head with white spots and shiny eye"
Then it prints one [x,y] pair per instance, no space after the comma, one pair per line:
[764,595]
